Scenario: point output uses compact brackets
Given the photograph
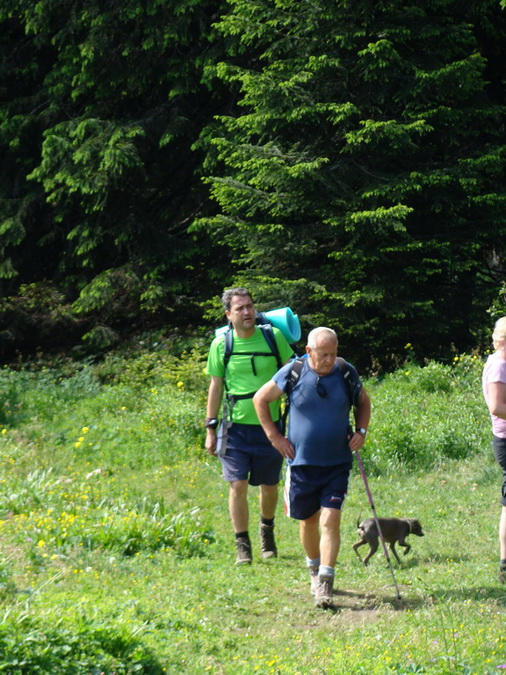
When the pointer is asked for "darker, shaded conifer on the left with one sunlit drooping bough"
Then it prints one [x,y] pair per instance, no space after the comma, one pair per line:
[101,103]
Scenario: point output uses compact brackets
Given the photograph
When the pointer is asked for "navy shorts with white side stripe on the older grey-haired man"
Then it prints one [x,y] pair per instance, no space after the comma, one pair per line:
[309,488]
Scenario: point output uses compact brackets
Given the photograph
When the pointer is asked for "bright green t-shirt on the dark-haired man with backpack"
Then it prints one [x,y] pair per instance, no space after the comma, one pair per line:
[240,376]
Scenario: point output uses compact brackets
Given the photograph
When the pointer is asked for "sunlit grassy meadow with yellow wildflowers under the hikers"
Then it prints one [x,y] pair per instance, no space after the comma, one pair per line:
[117,556]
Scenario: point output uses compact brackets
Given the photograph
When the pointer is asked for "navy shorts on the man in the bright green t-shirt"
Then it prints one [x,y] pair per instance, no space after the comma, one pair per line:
[250,456]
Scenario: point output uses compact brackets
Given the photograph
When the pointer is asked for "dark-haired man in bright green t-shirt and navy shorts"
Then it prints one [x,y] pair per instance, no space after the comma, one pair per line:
[248,457]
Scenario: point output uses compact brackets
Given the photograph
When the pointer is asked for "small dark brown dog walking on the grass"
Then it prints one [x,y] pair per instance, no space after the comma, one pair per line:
[392,529]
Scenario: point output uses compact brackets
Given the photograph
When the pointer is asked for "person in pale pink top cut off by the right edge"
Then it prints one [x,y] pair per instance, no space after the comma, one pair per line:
[494,391]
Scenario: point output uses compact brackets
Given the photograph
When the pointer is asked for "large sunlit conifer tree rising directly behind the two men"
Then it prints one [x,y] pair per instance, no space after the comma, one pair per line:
[366,166]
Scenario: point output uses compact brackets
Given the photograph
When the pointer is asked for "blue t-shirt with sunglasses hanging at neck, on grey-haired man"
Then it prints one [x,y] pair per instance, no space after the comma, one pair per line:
[319,416]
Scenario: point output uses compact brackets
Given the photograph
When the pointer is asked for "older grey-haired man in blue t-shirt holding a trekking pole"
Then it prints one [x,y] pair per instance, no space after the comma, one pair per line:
[319,451]
